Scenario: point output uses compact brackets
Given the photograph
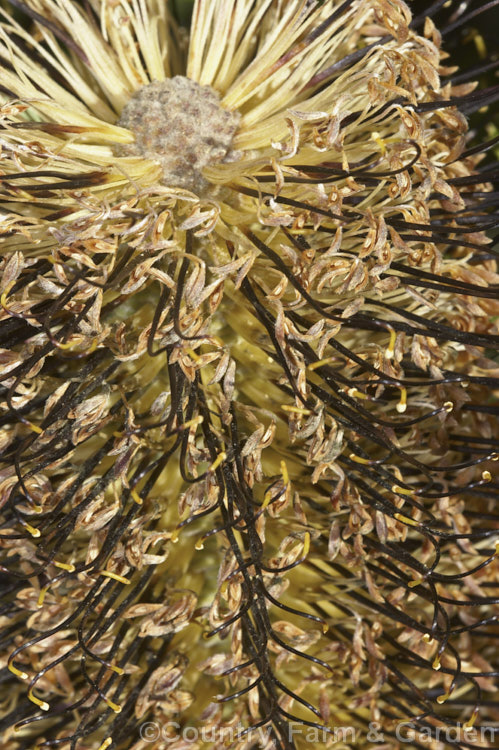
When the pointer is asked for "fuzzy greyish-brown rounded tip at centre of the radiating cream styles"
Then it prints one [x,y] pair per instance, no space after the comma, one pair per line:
[181,125]
